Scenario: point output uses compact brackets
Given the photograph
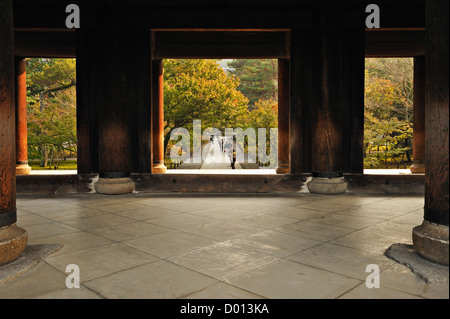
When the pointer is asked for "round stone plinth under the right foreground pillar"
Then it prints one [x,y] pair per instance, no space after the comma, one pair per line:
[431,242]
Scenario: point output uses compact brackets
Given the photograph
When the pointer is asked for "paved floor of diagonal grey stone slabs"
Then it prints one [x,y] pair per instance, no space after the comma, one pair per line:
[220,246]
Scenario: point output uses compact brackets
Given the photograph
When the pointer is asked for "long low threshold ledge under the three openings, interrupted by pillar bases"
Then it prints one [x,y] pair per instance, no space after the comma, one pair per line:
[214,183]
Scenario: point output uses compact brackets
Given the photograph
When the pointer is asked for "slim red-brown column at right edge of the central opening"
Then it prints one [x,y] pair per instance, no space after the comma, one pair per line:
[283,117]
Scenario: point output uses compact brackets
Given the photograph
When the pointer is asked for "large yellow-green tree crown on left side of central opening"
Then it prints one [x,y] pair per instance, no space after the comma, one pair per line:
[200,90]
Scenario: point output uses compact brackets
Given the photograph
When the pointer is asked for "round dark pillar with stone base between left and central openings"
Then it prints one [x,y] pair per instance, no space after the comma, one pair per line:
[112,95]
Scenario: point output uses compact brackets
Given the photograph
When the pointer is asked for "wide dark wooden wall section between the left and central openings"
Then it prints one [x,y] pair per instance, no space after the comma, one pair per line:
[124,95]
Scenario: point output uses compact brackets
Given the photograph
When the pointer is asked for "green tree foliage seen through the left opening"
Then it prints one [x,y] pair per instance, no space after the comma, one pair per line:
[51,107]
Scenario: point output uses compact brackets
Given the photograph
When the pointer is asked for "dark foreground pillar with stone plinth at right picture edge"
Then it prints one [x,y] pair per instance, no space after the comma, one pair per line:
[431,238]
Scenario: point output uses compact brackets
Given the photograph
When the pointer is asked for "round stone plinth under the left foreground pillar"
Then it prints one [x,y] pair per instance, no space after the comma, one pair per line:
[13,241]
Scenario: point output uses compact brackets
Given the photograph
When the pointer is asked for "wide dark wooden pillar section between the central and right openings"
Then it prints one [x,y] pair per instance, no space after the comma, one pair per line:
[327,92]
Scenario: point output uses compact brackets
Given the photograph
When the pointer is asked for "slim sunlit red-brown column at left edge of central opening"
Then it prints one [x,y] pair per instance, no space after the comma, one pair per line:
[158,118]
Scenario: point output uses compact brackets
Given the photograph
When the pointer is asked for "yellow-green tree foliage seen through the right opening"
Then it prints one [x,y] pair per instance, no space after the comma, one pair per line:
[388,110]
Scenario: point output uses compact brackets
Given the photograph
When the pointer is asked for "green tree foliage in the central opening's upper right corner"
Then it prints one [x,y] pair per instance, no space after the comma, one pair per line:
[258,78]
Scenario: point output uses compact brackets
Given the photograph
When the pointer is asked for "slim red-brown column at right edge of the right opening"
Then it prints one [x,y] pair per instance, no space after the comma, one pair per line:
[418,165]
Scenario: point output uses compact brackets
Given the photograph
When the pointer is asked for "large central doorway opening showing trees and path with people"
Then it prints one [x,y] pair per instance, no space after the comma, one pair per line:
[220,116]
